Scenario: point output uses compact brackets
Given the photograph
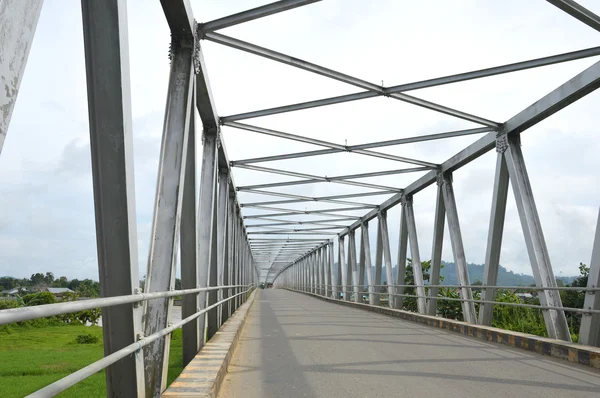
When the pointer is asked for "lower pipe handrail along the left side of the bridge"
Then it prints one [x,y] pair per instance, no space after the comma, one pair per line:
[83,373]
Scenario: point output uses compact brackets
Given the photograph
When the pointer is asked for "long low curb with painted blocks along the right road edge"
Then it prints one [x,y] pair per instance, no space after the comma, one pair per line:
[573,352]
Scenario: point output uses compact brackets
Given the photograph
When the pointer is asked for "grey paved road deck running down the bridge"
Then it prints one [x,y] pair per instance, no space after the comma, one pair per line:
[297,346]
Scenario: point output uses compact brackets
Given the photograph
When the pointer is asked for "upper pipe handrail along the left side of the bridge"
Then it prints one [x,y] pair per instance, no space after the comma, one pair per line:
[43,311]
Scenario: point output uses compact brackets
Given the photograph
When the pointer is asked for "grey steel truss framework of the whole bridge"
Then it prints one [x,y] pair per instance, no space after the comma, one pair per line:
[225,252]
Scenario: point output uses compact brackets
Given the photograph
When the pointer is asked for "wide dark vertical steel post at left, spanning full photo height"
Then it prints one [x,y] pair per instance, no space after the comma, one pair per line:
[111,144]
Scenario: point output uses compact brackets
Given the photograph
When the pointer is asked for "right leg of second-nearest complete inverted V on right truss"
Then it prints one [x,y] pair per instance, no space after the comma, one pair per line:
[462,273]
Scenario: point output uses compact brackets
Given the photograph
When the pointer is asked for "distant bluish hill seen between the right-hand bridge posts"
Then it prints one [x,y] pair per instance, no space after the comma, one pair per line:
[505,277]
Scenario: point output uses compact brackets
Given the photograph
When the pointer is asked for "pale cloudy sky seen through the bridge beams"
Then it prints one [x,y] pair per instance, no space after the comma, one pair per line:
[46,201]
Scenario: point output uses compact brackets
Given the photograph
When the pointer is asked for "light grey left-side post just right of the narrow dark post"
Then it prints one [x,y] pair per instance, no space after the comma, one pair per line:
[206,204]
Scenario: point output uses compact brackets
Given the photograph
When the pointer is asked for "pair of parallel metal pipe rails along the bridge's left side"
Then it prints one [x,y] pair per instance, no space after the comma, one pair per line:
[13,315]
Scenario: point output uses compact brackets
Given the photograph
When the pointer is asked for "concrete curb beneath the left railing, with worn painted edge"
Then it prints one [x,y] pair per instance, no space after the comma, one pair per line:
[205,373]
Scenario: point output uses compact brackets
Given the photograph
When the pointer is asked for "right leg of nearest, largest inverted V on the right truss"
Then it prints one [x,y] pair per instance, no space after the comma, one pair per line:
[556,322]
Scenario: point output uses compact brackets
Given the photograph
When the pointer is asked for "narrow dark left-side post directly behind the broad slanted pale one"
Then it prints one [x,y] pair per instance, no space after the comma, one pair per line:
[188,246]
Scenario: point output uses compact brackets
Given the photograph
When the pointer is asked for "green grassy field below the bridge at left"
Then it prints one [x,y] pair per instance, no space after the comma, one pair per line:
[32,358]
